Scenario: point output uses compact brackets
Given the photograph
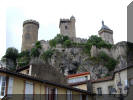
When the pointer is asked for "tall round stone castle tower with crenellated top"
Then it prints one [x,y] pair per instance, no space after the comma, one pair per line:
[30,34]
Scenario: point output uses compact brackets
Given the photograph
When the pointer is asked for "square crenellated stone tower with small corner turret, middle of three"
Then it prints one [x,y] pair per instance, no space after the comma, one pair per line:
[67,27]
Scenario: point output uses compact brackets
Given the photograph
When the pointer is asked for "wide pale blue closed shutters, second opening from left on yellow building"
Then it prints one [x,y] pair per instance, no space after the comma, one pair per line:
[28,91]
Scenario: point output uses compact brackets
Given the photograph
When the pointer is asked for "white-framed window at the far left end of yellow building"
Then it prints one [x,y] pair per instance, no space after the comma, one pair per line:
[2,86]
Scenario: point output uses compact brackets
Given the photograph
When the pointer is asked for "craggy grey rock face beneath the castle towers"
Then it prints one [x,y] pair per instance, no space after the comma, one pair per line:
[74,60]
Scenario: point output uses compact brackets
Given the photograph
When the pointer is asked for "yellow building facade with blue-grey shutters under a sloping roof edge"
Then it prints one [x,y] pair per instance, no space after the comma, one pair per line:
[17,86]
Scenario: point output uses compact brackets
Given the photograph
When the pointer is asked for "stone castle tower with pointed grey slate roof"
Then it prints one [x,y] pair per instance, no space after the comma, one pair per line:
[106,34]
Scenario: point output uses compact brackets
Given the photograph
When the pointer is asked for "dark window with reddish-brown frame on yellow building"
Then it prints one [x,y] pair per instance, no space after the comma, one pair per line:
[51,93]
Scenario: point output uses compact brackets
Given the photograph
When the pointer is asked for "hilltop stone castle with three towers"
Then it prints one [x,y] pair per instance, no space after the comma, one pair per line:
[67,28]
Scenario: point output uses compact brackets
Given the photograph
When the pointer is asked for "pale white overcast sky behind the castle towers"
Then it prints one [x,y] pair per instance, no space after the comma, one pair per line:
[88,14]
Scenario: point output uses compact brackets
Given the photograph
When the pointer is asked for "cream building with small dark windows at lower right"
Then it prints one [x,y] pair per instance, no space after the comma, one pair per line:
[105,85]
